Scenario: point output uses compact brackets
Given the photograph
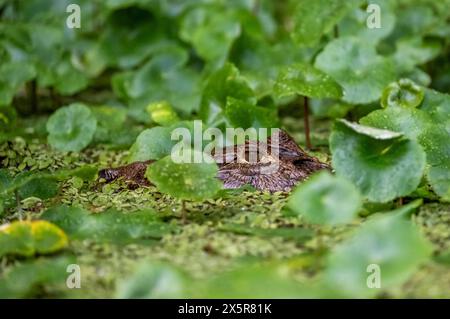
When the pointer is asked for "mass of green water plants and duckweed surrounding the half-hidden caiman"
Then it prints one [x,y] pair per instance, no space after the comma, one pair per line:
[360,85]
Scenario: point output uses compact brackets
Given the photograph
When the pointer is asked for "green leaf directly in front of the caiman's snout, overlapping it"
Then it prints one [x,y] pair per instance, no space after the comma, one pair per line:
[190,181]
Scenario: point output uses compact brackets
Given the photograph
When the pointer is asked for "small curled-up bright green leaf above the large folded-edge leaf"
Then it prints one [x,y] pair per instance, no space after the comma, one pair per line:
[403,93]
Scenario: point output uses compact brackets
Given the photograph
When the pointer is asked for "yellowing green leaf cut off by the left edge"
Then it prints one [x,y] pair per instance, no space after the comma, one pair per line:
[28,238]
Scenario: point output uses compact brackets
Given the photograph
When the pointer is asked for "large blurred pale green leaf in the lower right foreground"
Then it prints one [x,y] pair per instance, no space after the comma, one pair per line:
[389,242]
